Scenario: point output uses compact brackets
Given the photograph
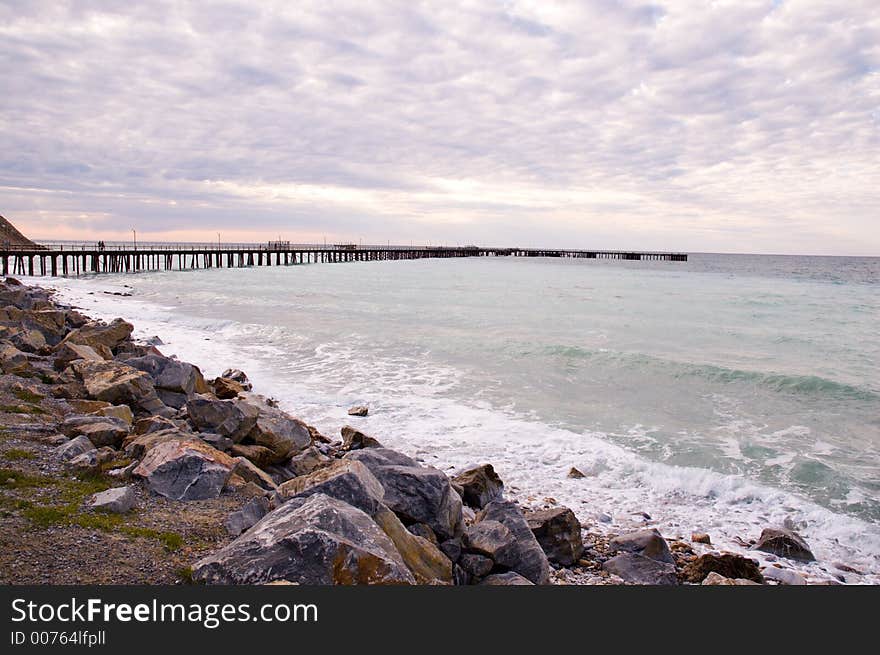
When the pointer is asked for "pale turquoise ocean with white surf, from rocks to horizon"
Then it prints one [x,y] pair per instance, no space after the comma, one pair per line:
[721,395]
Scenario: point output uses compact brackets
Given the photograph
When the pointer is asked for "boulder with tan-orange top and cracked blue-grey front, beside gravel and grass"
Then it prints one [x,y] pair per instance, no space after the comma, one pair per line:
[185,470]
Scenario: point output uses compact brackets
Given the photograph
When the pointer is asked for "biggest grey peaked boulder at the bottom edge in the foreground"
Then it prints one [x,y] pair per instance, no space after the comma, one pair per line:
[314,540]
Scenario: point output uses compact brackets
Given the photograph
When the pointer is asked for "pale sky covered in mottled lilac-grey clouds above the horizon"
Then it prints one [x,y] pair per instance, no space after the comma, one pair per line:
[744,126]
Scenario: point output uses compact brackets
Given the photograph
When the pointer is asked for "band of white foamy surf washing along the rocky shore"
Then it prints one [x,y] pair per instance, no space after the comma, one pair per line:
[411,409]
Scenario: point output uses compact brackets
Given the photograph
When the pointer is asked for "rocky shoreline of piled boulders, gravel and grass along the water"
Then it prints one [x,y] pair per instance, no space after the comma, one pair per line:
[121,465]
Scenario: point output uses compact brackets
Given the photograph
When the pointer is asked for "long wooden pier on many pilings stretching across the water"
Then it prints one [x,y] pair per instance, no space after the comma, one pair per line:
[79,259]
